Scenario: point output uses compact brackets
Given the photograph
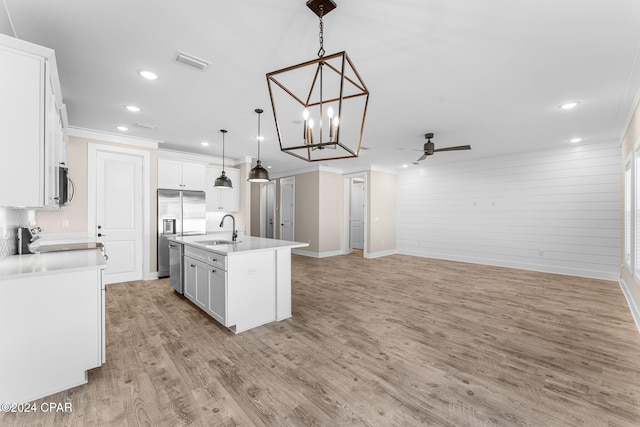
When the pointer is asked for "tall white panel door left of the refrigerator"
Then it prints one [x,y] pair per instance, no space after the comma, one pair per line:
[119,214]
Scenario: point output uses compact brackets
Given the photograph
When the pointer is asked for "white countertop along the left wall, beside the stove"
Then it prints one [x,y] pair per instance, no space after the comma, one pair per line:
[17,266]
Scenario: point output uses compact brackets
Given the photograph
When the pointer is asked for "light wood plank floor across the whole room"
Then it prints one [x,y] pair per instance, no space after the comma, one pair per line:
[392,341]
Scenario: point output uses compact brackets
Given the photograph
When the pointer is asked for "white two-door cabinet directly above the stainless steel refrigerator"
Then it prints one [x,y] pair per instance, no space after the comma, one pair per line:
[178,175]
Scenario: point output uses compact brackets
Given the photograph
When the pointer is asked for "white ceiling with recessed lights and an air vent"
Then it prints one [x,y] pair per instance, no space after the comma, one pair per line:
[488,73]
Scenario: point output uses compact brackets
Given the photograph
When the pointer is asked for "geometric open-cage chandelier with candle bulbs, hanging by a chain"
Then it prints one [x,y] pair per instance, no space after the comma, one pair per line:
[319,106]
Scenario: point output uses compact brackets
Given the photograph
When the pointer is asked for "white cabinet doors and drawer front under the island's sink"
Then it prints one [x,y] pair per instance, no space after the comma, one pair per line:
[206,285]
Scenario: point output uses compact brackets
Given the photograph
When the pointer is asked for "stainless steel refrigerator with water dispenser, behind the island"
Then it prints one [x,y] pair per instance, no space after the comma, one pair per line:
[180,213]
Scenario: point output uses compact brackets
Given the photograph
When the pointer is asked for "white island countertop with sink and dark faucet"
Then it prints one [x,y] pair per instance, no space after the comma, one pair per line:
[244,244]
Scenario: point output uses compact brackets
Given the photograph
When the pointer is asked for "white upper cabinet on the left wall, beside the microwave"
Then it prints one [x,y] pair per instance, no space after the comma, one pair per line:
[33,125]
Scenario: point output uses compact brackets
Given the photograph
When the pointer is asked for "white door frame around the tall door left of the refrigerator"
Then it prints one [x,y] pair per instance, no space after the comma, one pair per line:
[92,154]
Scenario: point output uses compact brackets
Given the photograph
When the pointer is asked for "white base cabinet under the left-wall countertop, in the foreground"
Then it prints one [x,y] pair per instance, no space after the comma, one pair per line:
[53,330]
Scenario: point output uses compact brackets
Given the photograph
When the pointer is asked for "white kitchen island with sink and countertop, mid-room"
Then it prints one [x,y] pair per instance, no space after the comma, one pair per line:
[240,284]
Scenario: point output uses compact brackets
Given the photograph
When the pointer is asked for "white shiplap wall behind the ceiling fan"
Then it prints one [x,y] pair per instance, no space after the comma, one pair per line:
[556,211]
